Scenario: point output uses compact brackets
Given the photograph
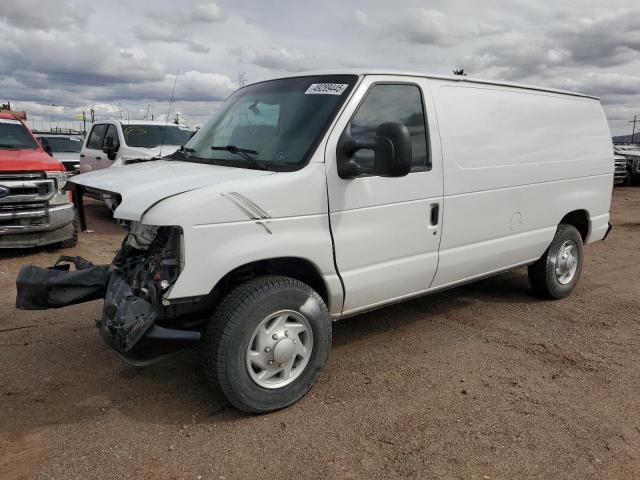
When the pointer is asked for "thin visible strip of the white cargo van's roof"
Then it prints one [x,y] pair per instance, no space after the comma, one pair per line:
[453,78]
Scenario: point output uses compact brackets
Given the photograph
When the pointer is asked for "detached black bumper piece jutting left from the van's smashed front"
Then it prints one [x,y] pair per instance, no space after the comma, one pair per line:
[59,286]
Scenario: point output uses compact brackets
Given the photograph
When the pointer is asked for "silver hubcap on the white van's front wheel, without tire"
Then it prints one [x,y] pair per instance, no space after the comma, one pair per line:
[279,349]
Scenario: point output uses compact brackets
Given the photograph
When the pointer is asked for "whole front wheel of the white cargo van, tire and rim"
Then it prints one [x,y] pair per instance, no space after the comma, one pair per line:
[267,343]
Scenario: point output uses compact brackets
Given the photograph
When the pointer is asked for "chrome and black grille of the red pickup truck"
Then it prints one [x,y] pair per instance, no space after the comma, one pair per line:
[24,200]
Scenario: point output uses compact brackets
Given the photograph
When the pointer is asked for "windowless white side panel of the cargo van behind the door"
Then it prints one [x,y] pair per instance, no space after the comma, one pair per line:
[515,163]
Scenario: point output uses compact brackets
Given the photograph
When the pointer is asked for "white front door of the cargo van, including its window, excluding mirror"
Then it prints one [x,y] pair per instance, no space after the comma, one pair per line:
[386,230]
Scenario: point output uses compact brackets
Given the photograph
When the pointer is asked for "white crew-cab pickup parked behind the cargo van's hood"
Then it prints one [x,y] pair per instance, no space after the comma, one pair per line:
[114,143]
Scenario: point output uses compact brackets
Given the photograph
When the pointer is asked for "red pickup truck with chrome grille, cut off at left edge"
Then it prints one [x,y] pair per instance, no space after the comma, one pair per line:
[33,208]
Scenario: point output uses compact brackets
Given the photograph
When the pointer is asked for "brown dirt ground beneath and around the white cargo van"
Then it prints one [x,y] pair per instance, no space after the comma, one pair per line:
[484,381]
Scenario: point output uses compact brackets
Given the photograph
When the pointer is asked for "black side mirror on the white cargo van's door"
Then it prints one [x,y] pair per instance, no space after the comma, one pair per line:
[391,146]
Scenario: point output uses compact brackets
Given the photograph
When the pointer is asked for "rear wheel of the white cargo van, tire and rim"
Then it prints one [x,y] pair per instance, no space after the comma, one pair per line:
[556,274]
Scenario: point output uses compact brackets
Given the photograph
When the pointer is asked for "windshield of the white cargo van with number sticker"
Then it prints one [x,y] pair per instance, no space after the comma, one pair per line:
[274,124]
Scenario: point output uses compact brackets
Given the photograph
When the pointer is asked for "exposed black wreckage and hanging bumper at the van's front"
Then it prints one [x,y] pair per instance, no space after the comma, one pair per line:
[135,321]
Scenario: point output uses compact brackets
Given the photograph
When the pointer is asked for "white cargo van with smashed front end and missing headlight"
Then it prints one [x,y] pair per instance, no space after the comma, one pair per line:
[315,197]
